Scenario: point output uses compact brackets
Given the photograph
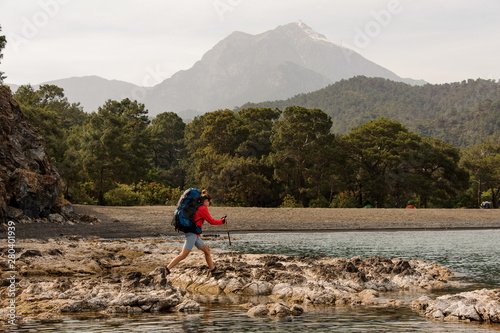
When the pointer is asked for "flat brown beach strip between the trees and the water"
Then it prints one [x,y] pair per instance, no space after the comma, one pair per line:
[151,221]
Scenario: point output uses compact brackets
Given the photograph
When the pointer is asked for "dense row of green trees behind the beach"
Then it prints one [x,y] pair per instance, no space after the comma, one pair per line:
[258,156]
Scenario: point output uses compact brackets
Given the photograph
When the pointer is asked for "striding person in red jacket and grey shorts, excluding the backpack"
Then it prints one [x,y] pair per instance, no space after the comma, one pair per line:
[200,216]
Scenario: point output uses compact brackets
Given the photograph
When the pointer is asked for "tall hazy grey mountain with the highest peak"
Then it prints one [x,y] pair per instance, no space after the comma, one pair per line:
[276,64]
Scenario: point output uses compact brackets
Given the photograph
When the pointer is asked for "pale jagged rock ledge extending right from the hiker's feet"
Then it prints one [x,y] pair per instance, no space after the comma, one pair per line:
[316,280]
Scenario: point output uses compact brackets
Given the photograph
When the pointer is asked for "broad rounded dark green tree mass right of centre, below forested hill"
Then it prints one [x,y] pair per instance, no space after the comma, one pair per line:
[394,164]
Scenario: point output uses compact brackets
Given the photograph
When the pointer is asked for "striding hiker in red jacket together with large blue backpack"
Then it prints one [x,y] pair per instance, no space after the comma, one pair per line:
[192,202]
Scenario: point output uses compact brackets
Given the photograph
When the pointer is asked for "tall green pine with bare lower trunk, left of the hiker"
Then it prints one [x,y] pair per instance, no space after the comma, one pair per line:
[114,145]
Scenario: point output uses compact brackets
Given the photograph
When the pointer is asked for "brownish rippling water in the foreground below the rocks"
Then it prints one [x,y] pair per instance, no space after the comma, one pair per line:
[233,319]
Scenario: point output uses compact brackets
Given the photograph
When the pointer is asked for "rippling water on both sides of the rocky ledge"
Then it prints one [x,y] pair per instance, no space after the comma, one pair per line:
[474,255]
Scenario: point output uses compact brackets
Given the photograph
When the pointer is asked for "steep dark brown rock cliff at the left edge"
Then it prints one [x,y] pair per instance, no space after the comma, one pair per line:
[29,182]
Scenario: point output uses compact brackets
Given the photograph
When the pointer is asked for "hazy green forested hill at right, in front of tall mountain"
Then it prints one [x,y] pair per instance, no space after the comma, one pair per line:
[462,113]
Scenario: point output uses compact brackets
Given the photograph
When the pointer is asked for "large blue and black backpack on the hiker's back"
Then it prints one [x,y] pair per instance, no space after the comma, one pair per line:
[183,219]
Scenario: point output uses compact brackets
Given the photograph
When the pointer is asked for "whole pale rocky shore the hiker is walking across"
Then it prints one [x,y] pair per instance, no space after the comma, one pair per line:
[103,277]
